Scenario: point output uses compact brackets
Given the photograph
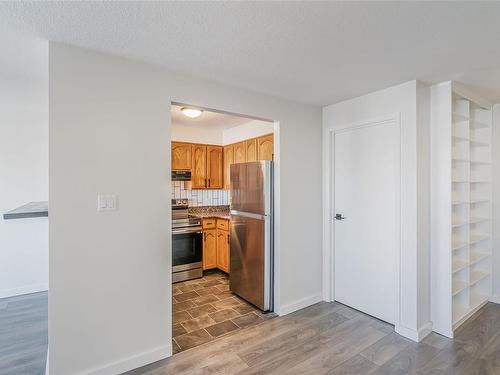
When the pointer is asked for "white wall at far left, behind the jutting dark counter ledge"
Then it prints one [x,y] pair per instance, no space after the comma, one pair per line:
[23,163]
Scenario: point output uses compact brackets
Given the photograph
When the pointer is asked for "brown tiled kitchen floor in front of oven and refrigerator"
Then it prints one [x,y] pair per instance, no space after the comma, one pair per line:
[205,309]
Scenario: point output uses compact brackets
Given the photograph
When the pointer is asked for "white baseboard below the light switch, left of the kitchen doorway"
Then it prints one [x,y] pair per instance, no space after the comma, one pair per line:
[133,362]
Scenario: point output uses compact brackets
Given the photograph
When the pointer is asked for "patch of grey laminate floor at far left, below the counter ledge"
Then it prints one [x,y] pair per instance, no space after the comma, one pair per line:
[23,334]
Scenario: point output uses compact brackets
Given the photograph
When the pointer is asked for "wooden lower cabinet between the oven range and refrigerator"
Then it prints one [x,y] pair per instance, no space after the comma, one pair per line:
[216,244]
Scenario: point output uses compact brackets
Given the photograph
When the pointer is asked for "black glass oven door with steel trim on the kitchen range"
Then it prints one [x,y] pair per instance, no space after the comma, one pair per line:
[187,245]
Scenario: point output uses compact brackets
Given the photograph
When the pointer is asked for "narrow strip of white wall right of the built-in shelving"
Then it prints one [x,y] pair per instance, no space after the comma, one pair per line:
[496,203]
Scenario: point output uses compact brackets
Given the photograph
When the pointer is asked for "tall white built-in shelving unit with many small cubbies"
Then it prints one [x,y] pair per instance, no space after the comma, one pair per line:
[461,208]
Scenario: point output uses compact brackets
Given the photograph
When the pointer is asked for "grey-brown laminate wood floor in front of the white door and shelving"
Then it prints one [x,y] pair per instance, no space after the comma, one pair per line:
[330,338]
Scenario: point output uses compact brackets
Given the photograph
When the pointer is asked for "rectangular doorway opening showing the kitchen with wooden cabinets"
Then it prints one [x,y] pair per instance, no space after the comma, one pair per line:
[223,253]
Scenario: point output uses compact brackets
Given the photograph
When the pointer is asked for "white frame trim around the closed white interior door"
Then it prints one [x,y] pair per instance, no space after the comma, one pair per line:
[329,207]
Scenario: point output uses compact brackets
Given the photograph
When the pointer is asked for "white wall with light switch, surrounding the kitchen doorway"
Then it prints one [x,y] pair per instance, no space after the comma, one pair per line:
[110,273]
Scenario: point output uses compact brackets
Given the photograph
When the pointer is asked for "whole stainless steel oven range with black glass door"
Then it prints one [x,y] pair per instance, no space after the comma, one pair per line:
[187,243]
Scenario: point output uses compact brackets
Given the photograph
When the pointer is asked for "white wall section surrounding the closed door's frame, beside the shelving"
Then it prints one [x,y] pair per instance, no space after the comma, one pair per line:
[414,311]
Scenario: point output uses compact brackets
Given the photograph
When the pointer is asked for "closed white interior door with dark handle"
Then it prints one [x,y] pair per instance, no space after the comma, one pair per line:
[366,193]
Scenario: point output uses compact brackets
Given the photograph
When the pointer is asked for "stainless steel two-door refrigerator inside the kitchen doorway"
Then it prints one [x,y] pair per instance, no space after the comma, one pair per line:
[251,265]
